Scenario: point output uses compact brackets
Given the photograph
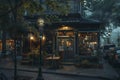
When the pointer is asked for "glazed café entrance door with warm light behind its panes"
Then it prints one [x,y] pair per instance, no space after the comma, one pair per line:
[66,47]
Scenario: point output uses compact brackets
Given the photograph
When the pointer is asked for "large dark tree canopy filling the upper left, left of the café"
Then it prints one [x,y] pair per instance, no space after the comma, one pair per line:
[12,12]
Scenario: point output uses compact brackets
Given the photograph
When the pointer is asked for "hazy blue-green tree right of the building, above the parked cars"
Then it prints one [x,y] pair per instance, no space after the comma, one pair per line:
[105,11]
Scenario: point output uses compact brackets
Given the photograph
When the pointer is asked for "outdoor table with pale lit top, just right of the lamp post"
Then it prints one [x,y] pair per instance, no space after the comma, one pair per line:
[53,62]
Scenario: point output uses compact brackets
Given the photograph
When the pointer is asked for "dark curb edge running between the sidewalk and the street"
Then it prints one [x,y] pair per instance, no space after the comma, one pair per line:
[64,73]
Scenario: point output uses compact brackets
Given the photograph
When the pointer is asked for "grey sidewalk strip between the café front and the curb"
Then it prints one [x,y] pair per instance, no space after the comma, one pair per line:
[107,72]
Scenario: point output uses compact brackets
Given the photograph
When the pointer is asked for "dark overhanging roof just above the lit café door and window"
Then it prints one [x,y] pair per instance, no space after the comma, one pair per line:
[82,24]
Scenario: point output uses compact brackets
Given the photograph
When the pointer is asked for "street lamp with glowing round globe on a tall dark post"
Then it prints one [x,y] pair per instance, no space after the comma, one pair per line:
[40,22]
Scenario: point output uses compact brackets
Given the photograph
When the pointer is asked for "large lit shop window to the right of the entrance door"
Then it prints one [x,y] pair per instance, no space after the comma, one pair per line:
[87,42]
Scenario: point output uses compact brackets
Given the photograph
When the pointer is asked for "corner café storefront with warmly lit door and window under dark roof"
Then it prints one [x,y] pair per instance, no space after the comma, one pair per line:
[75,38]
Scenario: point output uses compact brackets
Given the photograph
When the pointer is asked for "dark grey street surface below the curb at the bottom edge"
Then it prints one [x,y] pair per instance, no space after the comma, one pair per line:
[22,75]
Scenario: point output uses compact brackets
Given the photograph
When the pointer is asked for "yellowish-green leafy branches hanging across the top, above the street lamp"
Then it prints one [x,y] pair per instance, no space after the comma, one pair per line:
[33,7]
